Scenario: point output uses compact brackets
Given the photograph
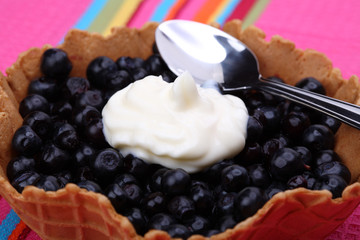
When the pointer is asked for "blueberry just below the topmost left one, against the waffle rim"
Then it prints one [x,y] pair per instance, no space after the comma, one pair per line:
[46,87]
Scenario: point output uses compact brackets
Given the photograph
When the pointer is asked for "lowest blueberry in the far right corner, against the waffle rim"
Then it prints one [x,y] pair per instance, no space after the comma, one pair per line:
[333,183]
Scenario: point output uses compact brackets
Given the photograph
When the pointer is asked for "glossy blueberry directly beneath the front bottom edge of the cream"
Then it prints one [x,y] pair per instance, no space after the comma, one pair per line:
[175,182]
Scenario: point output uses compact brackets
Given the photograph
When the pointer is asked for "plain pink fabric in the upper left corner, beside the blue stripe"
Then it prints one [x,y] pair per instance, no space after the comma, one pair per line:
[18,34]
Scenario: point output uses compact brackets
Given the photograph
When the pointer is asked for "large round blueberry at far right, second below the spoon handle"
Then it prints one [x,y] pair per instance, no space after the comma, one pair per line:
[318,137]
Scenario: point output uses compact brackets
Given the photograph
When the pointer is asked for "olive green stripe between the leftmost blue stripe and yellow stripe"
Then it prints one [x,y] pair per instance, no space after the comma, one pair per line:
[105,16]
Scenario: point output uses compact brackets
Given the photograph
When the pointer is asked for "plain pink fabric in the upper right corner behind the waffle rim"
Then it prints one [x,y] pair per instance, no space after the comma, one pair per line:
[328,26]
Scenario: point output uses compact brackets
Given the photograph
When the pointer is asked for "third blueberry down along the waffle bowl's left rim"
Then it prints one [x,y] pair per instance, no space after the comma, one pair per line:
[32,103]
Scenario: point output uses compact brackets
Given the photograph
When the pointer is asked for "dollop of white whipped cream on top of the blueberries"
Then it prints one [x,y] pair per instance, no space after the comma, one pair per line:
[177,125]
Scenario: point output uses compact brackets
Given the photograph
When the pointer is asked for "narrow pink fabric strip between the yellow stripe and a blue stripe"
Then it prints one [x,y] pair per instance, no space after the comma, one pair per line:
[143,13]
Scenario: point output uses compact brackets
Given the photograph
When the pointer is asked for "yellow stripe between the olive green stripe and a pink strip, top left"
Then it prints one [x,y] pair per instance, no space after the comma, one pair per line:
[122,15]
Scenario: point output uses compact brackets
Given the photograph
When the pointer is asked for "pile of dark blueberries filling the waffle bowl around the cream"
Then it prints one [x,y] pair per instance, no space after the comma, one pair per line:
[61,141]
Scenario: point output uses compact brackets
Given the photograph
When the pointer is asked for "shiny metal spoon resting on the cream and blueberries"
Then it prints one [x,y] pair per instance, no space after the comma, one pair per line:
[211,54]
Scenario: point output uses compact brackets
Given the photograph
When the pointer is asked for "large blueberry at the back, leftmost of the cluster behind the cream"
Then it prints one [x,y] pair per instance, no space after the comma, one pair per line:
[98,69]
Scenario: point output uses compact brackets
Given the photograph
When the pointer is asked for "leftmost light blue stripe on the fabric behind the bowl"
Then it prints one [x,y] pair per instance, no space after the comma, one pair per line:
[90,14]
